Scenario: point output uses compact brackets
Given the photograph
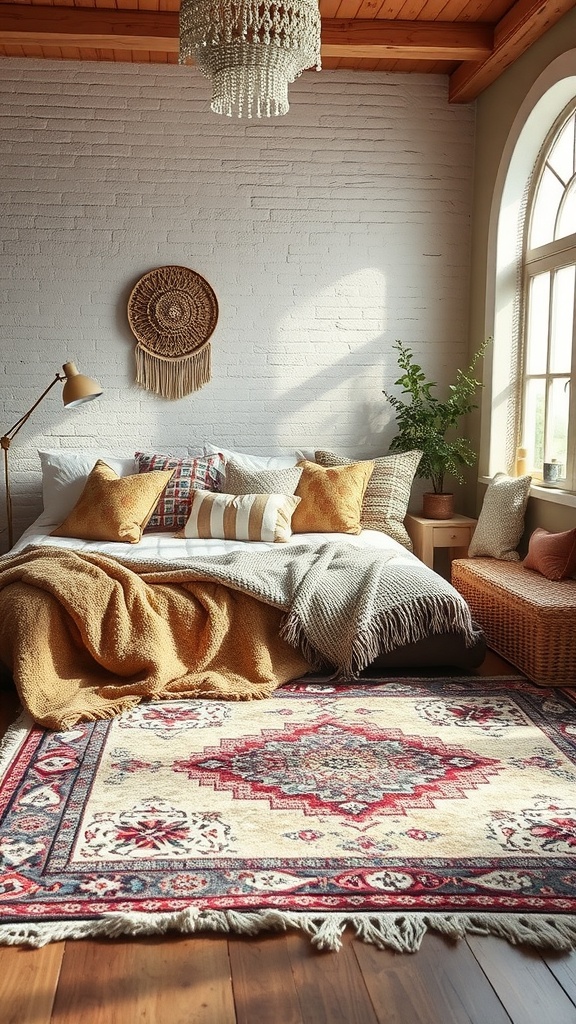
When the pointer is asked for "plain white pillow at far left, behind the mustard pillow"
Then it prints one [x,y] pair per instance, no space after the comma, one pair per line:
[64,477]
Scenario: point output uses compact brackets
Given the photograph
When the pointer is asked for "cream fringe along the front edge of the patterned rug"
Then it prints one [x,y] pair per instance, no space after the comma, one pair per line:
[402,933]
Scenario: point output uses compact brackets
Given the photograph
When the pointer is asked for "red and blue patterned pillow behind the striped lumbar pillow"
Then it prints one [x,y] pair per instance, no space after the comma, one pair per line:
[205,473]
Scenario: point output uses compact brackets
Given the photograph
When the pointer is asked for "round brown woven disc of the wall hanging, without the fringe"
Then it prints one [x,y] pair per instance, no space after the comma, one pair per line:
[173,312]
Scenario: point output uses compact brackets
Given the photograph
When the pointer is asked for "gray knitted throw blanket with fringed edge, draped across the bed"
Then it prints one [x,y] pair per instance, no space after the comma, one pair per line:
[344,606]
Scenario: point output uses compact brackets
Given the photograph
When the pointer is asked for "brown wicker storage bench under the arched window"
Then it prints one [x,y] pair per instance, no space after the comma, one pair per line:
[527,619]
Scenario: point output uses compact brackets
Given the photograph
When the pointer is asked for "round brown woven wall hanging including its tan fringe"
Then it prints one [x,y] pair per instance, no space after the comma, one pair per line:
[173,313]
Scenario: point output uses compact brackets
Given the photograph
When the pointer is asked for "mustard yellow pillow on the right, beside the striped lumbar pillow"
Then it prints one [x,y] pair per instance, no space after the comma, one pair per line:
[332,498]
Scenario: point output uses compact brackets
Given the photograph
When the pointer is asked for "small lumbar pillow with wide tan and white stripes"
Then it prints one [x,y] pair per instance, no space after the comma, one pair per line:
[241,518]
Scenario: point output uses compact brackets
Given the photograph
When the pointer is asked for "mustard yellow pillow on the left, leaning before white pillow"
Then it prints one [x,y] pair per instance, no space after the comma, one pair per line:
[112,507]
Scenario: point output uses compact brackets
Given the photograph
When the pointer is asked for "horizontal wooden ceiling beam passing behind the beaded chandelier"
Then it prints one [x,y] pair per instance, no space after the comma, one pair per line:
[141,30]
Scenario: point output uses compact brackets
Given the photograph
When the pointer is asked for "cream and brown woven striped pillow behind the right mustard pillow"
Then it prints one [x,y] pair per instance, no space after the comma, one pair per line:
[388,493]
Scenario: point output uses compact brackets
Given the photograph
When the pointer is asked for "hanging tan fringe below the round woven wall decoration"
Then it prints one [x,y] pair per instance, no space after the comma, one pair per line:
[174,378]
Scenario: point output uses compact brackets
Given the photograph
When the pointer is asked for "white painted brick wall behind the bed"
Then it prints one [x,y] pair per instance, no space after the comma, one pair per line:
[326,235]
